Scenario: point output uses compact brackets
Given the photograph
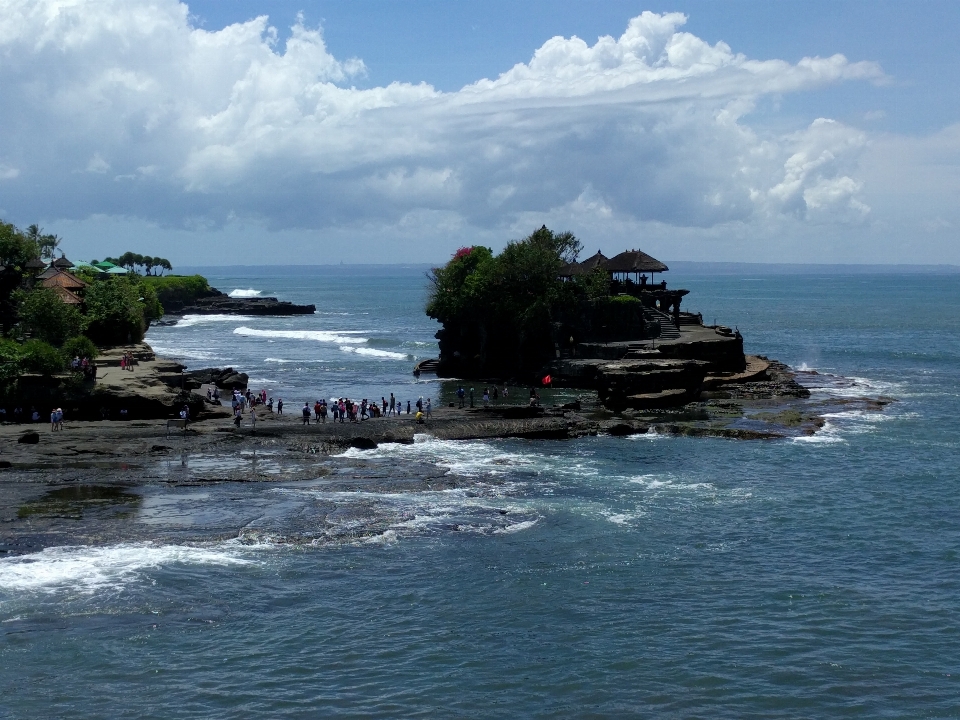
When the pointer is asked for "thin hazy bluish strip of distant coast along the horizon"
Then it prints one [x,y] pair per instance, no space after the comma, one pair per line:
[680,266]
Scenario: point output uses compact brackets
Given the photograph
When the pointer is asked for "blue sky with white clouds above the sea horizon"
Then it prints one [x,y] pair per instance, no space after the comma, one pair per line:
[278,132]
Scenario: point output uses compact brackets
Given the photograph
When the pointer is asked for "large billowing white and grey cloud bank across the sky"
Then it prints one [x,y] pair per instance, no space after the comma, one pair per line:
[123,108]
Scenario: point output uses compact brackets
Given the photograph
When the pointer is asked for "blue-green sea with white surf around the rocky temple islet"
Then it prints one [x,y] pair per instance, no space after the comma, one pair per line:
[644,577]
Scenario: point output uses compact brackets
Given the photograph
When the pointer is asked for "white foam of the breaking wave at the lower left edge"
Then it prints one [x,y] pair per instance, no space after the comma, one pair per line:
[87,569]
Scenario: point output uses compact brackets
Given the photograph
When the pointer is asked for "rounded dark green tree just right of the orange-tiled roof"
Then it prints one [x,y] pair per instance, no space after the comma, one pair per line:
[115,311]
